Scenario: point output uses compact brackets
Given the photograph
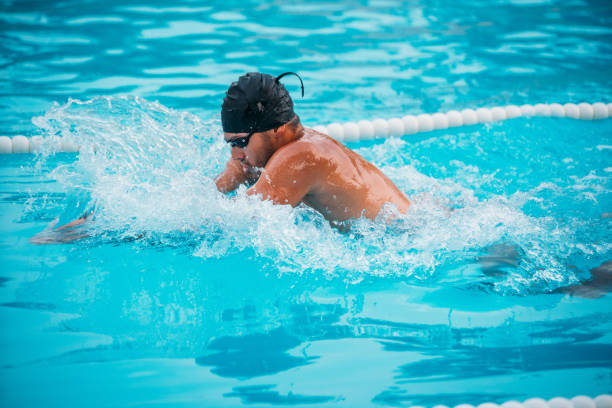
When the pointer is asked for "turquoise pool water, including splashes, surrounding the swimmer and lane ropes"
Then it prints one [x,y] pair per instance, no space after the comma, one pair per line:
[184,297]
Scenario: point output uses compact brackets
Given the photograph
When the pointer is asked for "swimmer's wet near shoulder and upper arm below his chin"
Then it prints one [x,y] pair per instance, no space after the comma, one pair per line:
[287,179]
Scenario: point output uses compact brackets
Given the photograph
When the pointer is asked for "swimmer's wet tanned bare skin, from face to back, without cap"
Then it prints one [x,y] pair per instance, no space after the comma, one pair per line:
[291,166]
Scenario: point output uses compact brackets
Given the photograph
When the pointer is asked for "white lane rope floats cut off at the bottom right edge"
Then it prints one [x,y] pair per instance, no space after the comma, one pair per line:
[580,401]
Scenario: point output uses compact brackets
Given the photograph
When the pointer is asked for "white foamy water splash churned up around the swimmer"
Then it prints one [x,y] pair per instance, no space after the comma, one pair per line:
[149,173]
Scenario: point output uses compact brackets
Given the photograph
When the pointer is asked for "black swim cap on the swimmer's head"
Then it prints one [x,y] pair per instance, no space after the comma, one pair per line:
[255,103]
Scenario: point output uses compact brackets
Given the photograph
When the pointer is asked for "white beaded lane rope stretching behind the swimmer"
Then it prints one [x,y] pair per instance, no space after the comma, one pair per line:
[396,127]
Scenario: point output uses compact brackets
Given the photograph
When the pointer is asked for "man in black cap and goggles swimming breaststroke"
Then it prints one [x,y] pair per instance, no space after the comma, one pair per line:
[289,164]
